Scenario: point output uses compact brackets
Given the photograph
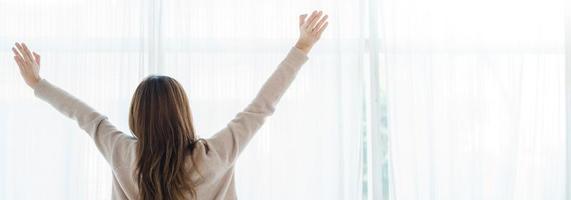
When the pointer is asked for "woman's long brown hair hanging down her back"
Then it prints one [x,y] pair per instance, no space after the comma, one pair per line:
[161,119]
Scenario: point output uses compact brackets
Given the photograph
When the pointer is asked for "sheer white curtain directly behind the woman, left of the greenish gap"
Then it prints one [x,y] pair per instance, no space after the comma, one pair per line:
[221,51]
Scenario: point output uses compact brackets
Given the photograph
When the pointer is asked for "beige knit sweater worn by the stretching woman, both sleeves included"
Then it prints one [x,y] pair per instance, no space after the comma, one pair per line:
[216,165]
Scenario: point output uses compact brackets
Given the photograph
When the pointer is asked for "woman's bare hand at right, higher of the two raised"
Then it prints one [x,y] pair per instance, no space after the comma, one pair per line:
[310,30]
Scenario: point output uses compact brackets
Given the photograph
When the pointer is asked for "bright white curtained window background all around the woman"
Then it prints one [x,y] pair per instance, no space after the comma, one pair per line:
[401,99]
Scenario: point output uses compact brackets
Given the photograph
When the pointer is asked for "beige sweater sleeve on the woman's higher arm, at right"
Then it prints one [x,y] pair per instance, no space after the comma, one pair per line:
[230,141]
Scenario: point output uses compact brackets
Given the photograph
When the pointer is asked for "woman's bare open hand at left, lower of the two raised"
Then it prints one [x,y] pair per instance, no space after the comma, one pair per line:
[29,64]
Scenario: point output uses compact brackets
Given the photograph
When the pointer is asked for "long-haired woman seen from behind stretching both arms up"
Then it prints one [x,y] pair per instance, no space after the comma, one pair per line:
[165,160]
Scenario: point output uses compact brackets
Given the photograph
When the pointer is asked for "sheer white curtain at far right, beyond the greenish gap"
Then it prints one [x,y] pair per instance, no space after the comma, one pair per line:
[475,98]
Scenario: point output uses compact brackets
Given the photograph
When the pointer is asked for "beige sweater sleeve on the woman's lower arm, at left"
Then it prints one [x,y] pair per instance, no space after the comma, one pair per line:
[107,138]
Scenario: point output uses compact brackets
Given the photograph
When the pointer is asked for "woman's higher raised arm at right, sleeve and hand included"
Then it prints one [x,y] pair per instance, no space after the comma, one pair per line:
[230,141]
